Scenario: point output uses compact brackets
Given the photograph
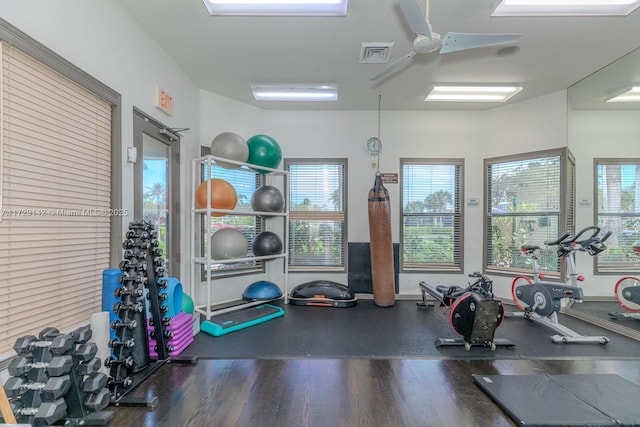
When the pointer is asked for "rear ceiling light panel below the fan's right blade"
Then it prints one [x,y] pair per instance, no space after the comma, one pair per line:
[450,93]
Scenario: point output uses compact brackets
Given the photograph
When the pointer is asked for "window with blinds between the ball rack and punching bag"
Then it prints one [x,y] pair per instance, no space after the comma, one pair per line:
[317,197]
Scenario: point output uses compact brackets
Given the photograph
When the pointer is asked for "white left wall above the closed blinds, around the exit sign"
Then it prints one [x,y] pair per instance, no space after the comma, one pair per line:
[102,39]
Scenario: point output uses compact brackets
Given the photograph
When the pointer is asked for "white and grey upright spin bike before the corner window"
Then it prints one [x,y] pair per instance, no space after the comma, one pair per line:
[540,301]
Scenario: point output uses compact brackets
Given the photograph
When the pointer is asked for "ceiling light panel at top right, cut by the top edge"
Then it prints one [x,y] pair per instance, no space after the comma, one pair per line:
[565,7]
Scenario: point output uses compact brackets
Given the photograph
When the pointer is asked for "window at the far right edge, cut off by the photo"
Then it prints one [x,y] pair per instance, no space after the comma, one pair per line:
[617,209]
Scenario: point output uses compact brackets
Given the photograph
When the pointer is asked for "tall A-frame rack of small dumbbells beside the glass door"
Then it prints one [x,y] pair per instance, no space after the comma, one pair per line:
[143,272]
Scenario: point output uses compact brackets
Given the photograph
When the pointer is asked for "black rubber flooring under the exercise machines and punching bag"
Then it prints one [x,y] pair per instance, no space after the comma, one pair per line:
[401,331]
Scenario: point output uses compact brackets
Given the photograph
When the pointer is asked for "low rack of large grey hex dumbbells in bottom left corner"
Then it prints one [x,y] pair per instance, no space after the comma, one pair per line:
[55,378]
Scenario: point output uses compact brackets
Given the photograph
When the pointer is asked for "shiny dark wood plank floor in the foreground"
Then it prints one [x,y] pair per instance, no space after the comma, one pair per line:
[337,392]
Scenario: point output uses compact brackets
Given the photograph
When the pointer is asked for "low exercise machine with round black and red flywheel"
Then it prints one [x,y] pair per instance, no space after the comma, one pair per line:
[474,312]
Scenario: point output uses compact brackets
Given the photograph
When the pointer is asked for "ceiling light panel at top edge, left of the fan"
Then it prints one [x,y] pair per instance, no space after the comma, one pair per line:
[277,7]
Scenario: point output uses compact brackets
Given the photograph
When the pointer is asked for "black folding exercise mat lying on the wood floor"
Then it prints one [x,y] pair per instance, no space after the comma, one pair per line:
[564,400]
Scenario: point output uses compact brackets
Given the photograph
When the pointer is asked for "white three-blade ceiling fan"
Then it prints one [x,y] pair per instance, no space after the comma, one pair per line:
[427,41]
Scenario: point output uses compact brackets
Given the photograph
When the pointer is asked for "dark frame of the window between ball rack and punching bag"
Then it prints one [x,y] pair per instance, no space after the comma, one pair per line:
[318,215]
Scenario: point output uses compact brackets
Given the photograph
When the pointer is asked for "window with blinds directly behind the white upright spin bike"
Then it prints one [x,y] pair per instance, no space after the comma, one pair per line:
[529,199]
